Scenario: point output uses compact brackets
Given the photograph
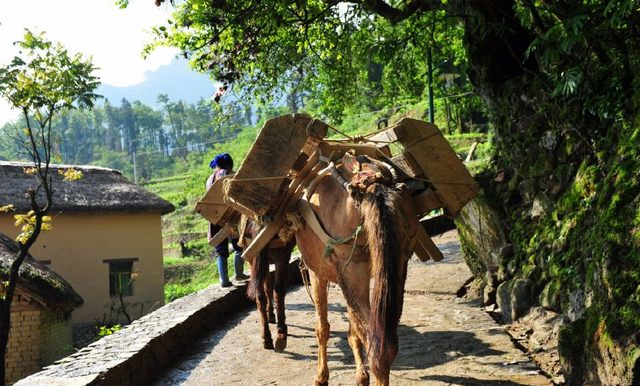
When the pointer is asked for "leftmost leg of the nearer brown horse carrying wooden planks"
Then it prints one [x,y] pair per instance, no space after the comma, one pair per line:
[319,290]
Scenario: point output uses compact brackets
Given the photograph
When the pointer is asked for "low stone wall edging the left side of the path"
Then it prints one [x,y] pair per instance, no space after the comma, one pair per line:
[135,354]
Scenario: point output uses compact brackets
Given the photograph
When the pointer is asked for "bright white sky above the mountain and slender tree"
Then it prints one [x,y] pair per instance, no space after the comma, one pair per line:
[113,37]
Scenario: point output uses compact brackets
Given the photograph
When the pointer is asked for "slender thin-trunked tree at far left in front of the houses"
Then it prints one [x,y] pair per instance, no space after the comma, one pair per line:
[42,81]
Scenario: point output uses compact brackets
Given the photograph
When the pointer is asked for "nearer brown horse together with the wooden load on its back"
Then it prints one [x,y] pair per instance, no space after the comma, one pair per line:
[354,210]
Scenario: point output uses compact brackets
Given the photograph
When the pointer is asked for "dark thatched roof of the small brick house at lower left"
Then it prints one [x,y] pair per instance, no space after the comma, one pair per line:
[48,288]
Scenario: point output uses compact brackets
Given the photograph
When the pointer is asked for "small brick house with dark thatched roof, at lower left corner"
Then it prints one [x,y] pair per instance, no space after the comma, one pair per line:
[40,315]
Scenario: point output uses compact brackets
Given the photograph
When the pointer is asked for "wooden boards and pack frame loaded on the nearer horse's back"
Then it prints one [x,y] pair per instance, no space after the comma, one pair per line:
[291,150]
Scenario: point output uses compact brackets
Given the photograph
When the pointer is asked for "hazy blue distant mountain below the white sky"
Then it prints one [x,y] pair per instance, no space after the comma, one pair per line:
[176,80]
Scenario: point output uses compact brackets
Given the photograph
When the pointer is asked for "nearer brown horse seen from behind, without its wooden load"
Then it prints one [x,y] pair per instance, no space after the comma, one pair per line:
[383,211]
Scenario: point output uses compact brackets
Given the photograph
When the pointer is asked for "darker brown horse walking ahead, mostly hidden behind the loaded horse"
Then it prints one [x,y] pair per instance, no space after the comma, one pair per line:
[261,288]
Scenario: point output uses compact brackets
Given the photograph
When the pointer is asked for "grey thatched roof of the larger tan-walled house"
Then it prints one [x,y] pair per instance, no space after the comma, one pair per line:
[100,190]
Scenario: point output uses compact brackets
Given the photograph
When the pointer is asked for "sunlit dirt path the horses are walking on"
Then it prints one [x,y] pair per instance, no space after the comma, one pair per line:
[444,340]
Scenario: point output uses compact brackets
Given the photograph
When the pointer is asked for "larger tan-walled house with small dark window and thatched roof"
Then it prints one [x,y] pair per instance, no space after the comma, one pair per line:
[106,239]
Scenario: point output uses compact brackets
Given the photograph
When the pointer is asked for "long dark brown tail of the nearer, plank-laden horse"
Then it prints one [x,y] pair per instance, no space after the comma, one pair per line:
[381,210]
